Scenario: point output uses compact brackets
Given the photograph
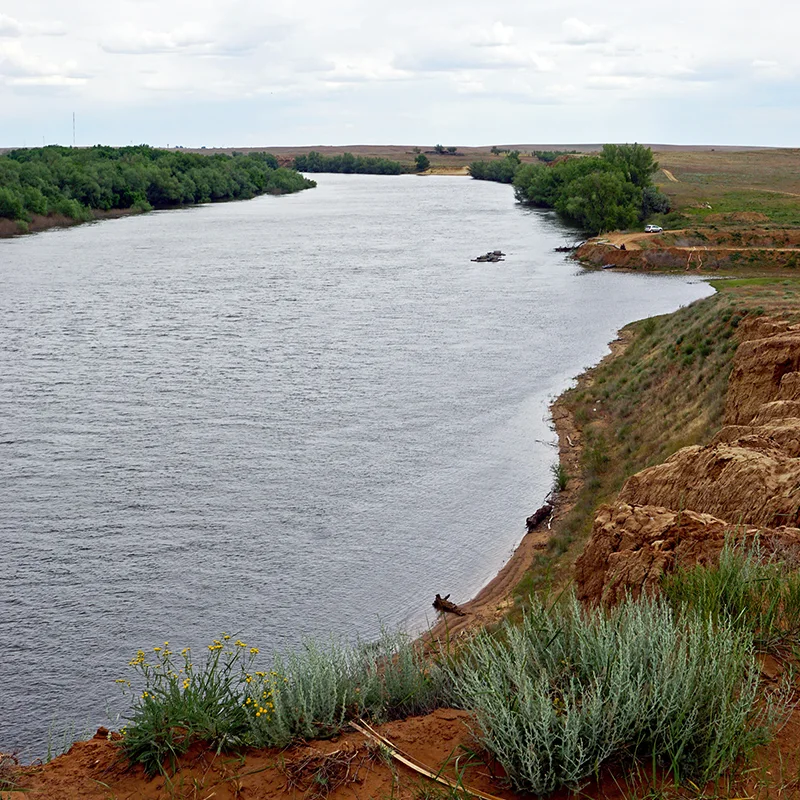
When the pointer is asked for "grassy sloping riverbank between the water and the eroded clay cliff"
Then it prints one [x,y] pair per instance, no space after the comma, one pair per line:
[663,387]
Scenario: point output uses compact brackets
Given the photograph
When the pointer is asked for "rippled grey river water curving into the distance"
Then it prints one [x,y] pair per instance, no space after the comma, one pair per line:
[285,417]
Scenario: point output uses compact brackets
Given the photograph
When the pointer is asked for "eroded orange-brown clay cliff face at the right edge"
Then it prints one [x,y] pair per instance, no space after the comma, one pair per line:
[745,482]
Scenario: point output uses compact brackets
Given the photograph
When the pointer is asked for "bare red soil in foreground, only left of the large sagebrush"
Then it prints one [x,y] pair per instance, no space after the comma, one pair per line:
[352,765]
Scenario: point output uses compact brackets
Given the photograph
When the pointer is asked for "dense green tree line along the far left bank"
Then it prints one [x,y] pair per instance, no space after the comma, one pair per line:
[75,182]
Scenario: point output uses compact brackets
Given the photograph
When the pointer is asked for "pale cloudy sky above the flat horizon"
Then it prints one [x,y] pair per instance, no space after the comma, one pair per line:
[474,72]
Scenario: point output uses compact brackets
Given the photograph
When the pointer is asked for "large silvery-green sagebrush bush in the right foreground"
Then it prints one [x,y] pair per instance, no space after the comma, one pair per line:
[569,690]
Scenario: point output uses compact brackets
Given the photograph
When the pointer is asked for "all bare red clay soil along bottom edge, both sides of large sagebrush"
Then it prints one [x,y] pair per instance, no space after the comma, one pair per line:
[351,766]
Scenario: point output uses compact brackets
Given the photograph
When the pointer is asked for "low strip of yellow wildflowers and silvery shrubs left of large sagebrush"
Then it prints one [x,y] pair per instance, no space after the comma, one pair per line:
[224,701]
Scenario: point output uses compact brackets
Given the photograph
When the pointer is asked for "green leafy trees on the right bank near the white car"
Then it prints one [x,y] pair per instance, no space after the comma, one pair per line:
[610,191]
